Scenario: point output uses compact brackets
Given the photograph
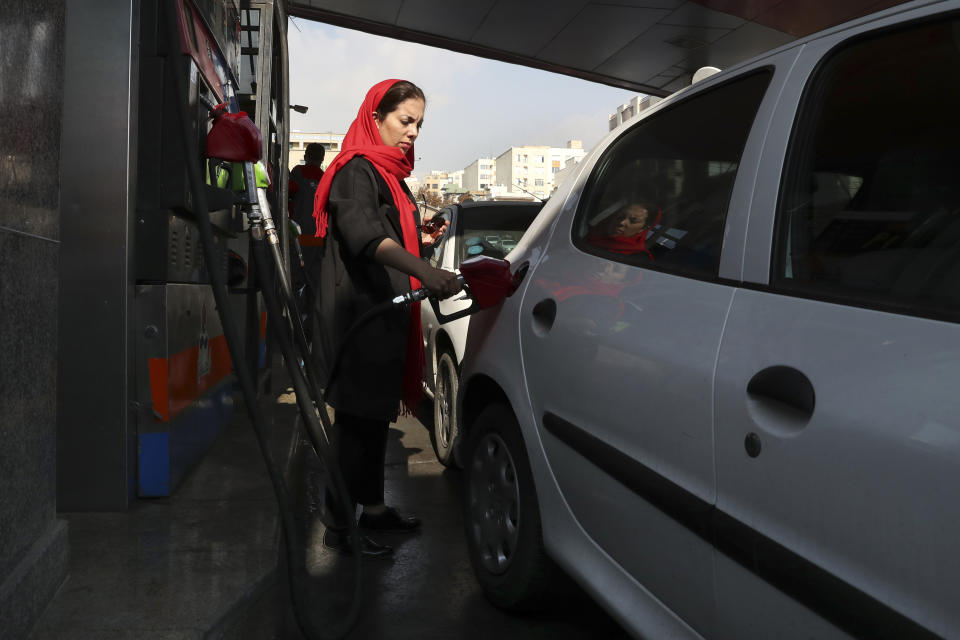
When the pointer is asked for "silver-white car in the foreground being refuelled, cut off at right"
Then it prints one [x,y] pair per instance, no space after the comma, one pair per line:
[742,422]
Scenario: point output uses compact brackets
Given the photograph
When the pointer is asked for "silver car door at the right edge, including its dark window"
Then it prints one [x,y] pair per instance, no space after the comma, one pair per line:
[838,417]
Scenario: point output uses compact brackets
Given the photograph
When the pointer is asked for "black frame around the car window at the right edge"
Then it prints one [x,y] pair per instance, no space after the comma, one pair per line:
[806,117]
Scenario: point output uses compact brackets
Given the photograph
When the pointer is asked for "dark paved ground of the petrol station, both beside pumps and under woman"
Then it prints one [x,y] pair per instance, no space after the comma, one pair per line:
[203,563]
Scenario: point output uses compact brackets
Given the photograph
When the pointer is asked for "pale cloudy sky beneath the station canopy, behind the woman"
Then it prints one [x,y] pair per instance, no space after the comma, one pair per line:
[475,107]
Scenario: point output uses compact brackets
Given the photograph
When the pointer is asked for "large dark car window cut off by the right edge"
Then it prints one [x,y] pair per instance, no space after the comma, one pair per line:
[870,207]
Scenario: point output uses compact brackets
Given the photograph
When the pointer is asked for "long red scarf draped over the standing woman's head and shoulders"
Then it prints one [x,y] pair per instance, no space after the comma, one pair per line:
[363,139]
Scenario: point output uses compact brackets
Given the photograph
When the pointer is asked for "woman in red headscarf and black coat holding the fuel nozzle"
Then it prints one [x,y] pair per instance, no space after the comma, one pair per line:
[372,253]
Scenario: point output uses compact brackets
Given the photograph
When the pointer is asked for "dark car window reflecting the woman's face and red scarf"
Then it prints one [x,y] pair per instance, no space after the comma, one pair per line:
[659,195]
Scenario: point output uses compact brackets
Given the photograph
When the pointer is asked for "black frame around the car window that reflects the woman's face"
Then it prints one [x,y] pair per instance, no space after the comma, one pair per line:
[598,169]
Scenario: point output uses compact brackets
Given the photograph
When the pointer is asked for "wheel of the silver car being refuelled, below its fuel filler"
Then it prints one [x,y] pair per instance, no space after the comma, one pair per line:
[502,517]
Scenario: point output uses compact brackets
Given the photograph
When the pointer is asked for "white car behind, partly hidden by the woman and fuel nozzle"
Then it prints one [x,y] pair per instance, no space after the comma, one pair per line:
[472,224]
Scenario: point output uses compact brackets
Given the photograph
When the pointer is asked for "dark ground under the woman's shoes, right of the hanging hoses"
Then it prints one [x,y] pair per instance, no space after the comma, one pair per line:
[428,590]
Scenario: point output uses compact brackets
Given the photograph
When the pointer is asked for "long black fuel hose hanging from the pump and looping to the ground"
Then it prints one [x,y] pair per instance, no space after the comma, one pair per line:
[315,421]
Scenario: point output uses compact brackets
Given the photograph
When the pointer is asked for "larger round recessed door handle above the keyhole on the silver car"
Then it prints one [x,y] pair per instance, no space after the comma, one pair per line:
[781,400]
